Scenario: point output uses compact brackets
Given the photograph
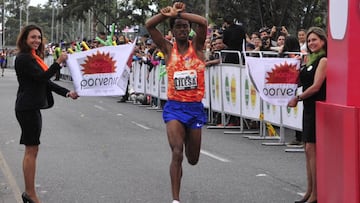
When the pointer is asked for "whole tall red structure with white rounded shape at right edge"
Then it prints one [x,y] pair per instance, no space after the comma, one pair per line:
[338,118]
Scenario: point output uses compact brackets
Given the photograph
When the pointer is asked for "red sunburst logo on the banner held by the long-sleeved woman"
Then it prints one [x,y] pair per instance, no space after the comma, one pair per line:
[99,63]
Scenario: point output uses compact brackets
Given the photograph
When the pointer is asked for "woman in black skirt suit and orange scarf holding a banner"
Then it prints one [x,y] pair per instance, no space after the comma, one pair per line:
[34,93]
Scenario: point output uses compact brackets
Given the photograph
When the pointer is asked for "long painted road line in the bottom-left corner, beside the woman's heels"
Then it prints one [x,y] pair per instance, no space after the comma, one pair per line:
[10,178]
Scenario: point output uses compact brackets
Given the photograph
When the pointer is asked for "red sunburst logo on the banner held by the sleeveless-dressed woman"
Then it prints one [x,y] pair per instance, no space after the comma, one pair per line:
[283,73]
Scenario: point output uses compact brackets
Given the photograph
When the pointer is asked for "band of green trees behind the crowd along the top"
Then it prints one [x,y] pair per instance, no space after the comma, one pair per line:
[92,16]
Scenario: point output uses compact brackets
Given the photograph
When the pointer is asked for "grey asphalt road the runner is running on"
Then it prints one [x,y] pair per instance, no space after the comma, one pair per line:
[97,150]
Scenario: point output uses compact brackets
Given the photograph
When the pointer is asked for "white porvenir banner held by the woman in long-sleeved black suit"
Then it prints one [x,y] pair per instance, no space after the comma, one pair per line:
[102,71]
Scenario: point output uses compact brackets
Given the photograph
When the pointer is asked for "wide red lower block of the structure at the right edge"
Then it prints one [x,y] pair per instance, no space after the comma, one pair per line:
[337,153]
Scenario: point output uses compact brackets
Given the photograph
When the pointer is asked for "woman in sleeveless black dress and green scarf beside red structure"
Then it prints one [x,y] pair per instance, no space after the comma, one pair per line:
[313,79]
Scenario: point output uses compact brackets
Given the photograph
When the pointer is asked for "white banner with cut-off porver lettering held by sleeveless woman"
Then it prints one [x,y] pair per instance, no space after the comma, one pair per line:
[275,79]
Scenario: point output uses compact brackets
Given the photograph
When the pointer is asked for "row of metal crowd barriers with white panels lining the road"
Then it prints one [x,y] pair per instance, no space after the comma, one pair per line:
[228,91]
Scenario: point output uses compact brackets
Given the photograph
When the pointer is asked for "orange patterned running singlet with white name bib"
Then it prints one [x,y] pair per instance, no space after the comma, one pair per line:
[185,76]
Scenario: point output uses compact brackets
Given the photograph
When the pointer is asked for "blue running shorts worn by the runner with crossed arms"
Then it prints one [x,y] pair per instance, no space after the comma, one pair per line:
[190,114]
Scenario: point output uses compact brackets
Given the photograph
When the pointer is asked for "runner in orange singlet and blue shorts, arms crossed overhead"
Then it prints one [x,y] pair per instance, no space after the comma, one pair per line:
[183,113]
